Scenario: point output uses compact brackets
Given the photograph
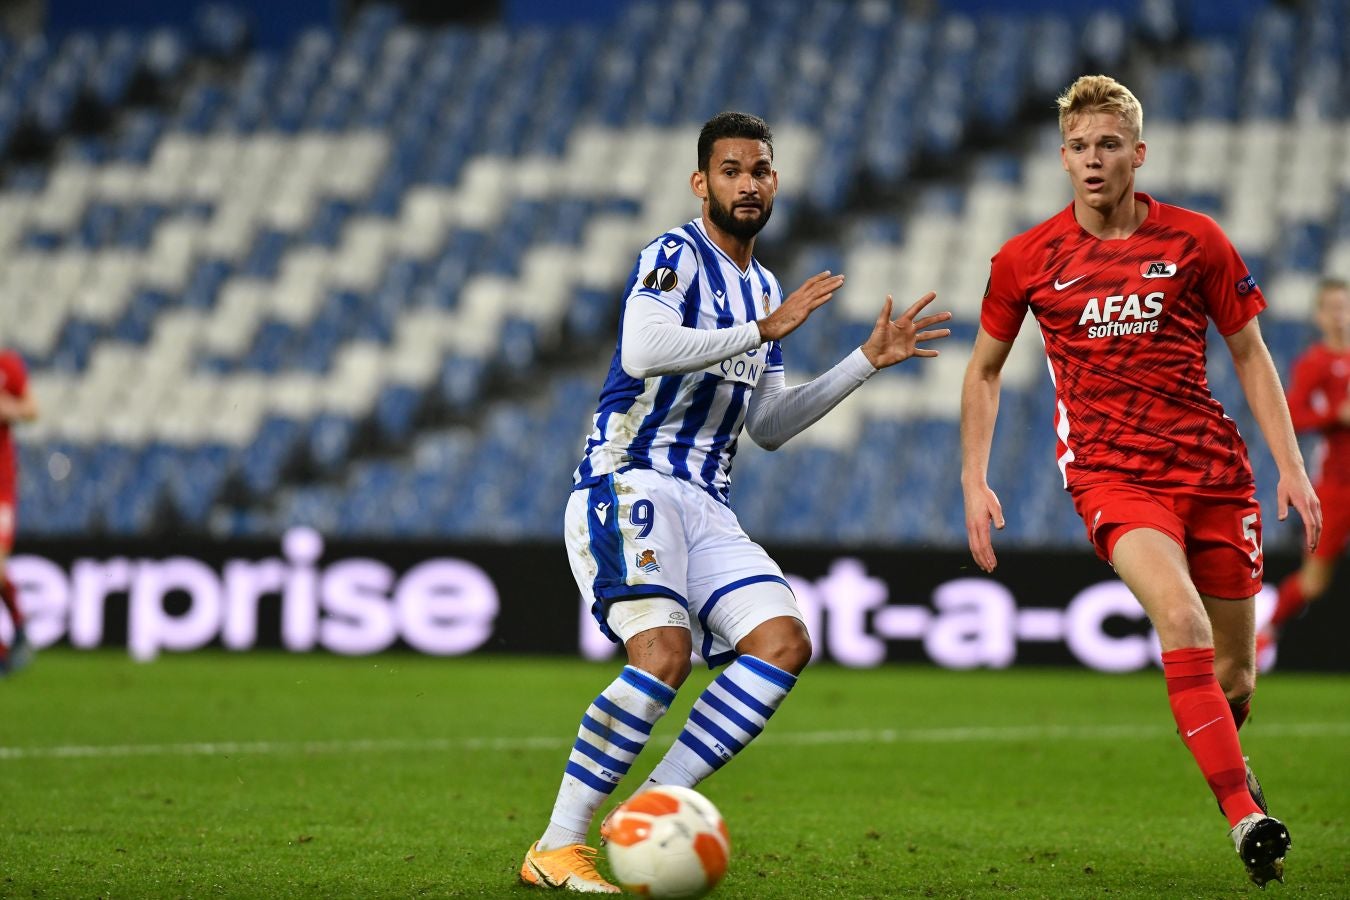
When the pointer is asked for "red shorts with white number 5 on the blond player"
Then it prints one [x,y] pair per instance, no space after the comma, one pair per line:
[1218,531]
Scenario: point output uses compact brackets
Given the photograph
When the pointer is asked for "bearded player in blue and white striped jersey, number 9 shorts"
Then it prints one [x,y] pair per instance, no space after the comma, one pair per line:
[653,542]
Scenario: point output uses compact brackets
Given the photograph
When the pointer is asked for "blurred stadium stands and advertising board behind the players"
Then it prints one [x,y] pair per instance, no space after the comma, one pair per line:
[318,300]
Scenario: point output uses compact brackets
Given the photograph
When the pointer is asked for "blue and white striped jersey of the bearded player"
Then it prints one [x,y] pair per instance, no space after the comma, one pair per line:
[686,424]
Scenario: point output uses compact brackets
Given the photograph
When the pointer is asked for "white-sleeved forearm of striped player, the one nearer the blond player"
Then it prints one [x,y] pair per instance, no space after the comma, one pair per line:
[780,414]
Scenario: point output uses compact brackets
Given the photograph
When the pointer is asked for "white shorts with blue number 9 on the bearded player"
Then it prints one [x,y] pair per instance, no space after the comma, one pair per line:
[649,550]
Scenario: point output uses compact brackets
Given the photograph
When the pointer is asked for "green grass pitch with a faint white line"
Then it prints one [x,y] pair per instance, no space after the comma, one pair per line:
[403,777]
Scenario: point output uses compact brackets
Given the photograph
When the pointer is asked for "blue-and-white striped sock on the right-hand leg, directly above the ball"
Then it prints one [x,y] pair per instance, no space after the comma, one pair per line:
[727,717]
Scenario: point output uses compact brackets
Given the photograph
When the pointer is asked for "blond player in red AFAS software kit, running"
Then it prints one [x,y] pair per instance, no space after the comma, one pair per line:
[1124,289]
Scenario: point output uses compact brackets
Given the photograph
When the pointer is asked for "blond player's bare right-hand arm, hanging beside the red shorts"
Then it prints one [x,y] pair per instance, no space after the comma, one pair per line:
[1266,397]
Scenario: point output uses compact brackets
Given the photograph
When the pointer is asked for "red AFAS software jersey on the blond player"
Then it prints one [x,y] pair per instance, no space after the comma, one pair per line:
[1124,325]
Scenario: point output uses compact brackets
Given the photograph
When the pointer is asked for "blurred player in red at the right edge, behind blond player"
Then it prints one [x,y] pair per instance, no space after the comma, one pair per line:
[1320,401]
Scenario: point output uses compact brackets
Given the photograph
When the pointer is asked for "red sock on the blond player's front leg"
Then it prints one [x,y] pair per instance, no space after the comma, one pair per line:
[1206,727]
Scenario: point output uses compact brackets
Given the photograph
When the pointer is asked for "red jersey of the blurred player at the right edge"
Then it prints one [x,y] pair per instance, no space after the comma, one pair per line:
[1321,385]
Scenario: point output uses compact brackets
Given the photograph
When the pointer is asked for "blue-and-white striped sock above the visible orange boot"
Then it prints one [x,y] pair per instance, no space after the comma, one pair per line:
[614,732]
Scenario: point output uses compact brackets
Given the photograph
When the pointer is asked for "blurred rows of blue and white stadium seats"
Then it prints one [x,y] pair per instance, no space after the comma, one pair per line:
[362,245]
